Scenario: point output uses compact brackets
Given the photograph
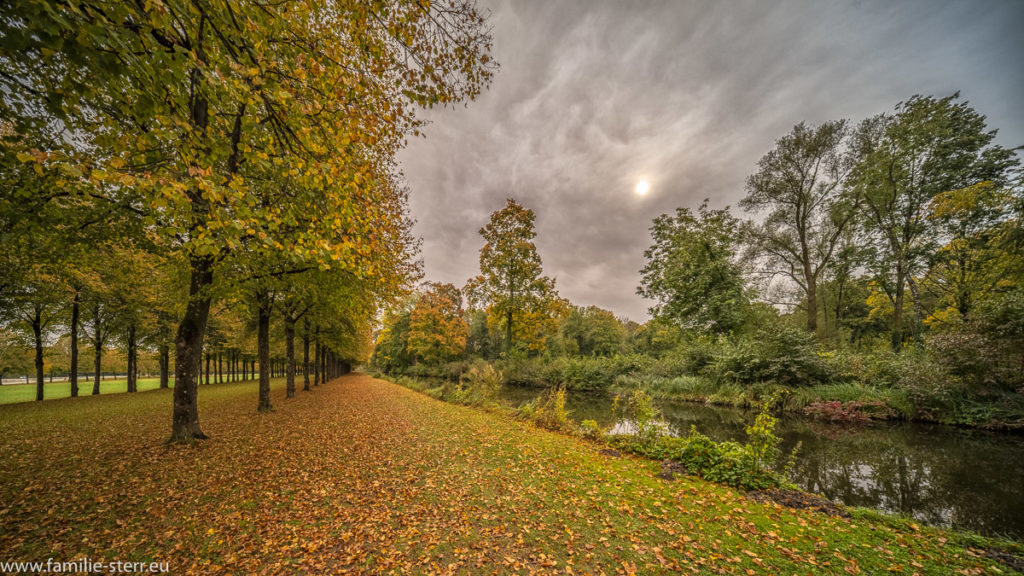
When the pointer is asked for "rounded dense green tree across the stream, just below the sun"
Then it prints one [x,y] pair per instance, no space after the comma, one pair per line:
[694,273]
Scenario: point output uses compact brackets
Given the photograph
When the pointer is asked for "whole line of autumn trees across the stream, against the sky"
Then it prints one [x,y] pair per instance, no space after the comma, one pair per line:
[906,228]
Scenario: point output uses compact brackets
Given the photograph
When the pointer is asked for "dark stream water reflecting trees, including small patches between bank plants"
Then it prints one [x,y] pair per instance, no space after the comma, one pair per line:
[938,475]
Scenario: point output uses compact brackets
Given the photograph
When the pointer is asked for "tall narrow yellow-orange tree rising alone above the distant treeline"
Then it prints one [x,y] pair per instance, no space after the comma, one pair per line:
[513,283]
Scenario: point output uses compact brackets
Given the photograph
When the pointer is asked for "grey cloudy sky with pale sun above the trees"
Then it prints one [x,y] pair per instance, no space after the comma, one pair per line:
[593,97]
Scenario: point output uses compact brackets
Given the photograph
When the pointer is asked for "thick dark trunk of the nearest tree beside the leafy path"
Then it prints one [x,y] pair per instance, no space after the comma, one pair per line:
[188,354]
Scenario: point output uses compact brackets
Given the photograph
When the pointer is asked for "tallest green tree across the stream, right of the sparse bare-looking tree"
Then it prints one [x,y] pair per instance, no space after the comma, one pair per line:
[929,146]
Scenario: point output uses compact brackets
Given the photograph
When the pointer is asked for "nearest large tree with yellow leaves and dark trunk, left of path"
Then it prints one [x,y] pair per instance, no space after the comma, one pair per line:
[181,104]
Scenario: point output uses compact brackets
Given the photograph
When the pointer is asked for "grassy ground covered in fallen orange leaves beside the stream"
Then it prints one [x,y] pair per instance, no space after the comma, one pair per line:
[362,476]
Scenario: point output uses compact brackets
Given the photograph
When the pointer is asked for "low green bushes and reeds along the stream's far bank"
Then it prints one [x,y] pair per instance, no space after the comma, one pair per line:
[849,400]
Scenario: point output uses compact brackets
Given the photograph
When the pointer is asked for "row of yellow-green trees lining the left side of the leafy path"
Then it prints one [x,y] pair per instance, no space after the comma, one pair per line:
[247,150]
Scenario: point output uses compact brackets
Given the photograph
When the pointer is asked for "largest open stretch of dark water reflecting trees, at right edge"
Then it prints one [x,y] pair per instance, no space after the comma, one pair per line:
[940,476]
